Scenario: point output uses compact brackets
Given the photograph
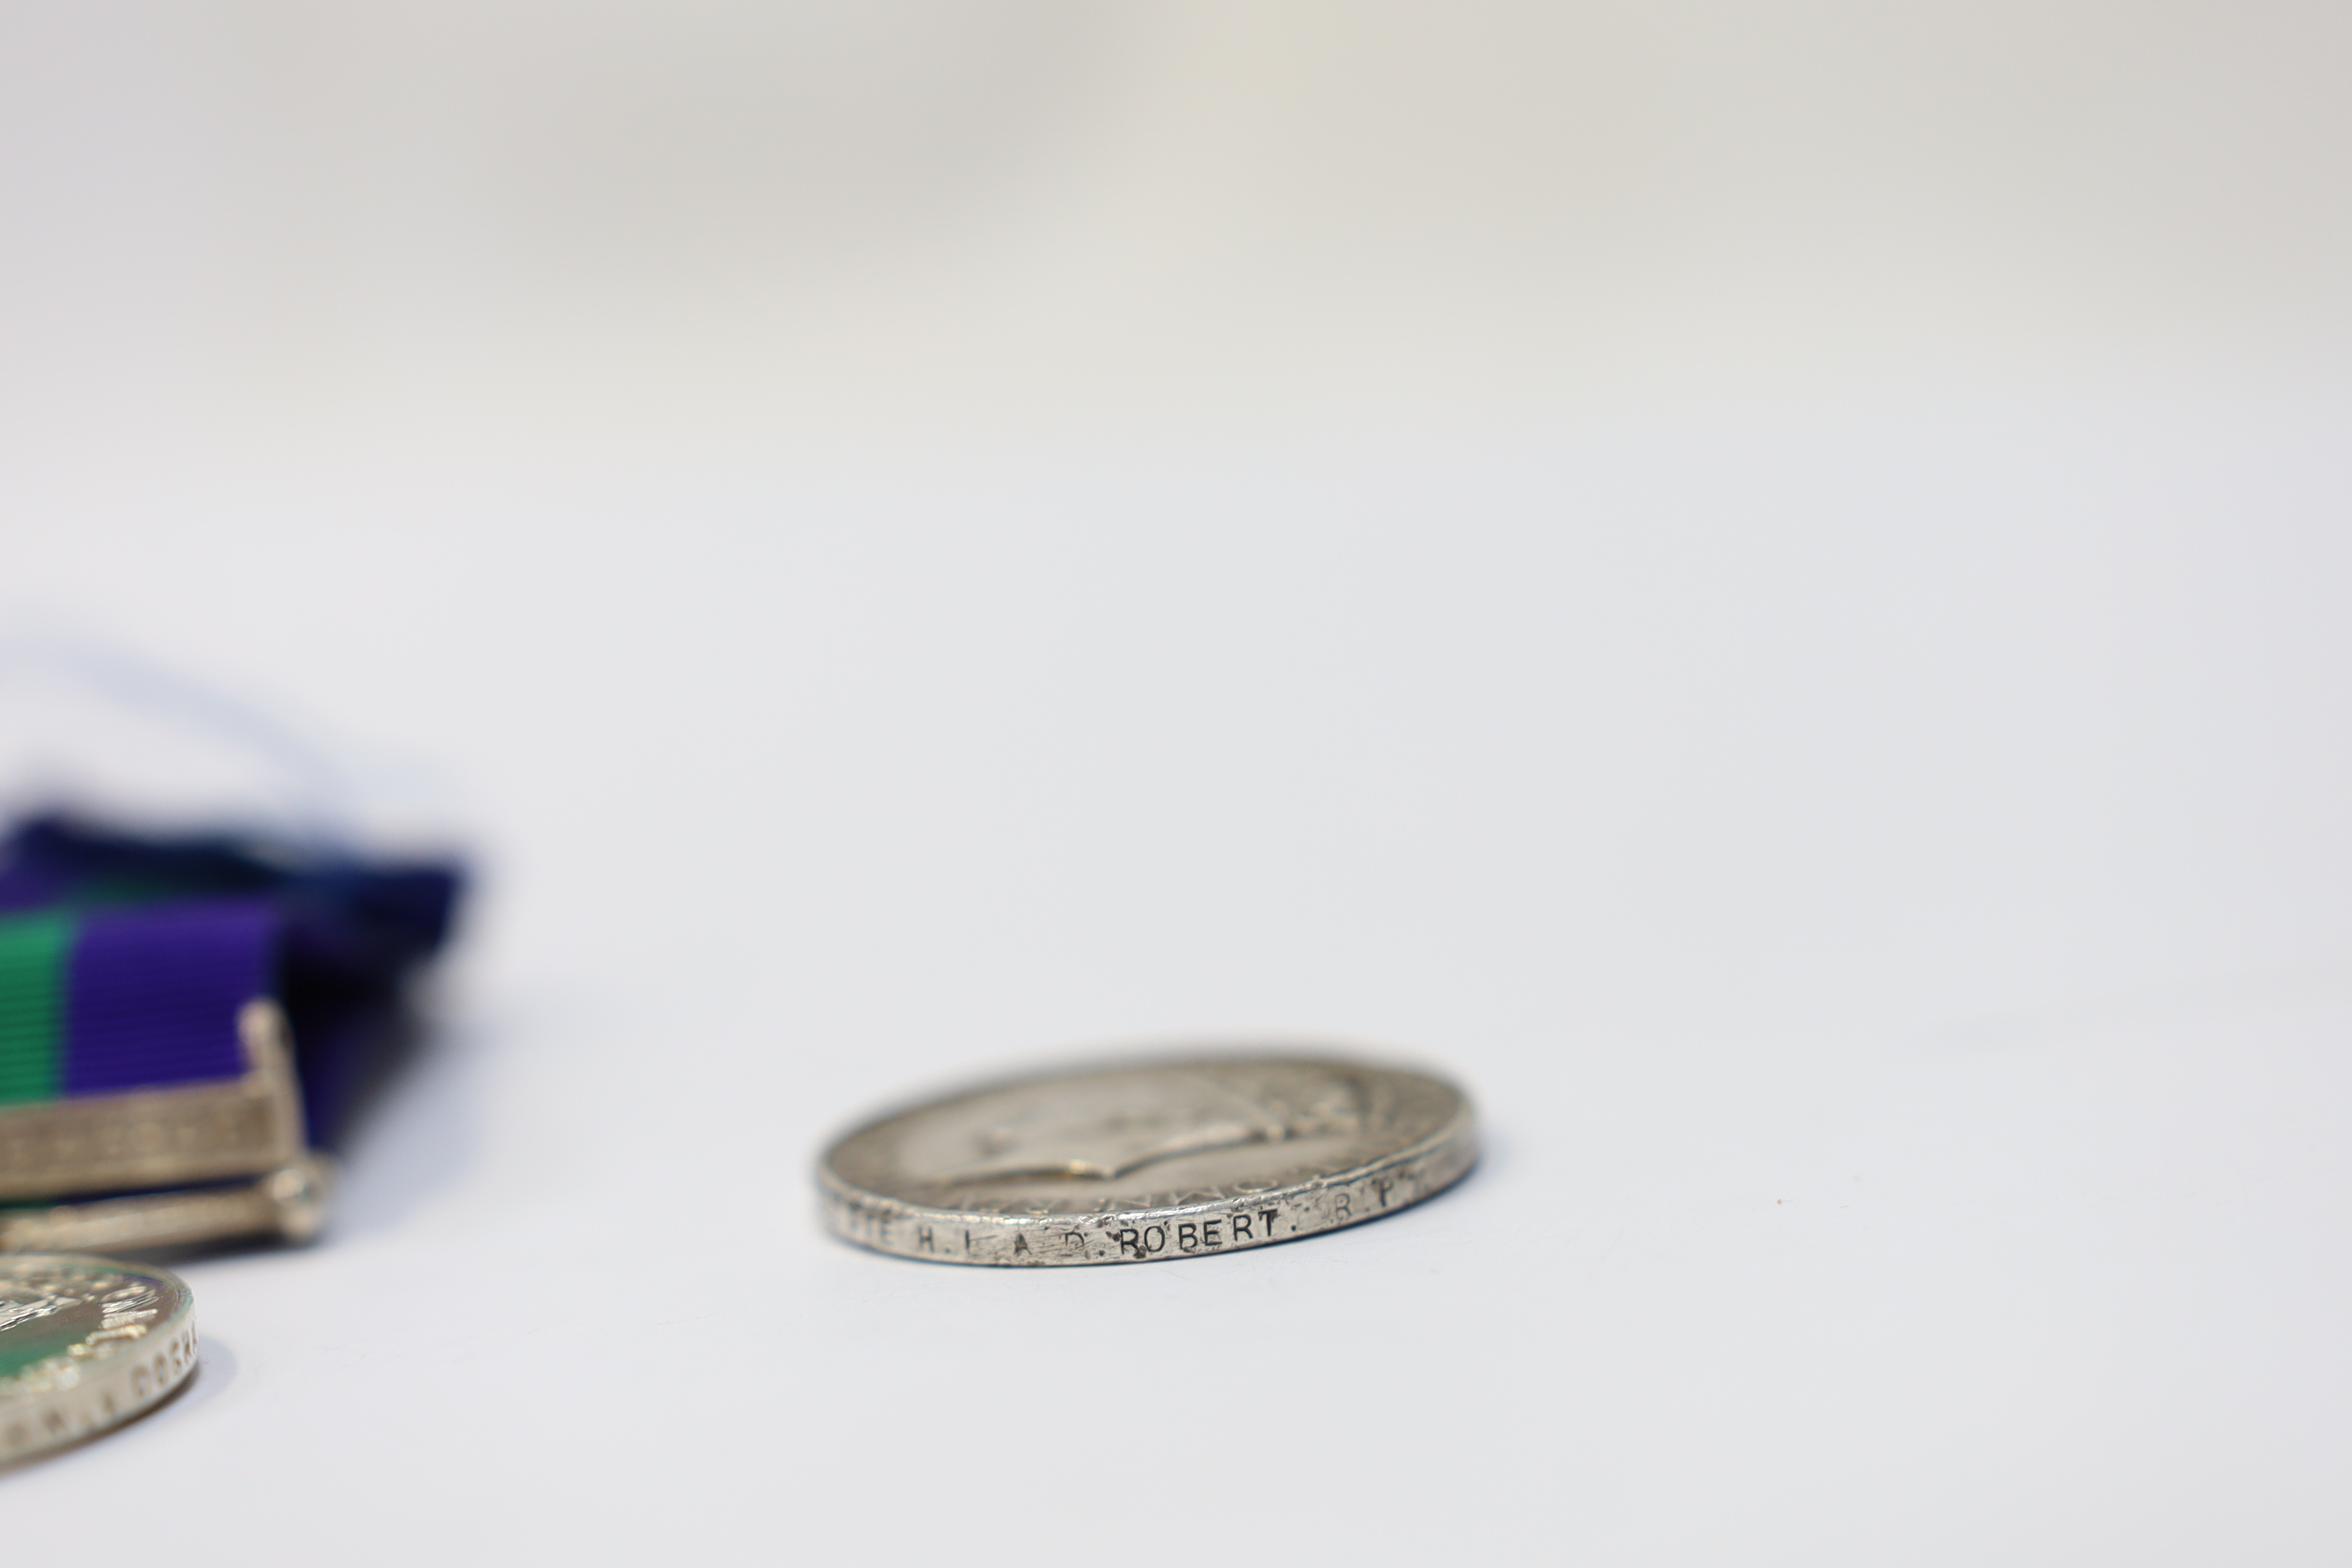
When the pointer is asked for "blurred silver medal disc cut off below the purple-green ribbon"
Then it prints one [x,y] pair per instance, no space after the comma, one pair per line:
[86,1343]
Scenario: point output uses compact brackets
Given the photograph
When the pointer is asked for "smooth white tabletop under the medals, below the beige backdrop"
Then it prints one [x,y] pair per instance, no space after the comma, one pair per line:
[1883,894]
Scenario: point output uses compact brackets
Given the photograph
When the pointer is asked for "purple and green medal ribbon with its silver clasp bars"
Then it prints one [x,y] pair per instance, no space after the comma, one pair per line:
[185,1024]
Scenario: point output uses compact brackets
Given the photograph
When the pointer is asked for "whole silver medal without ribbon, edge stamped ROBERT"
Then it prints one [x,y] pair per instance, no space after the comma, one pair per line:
[1158,1160]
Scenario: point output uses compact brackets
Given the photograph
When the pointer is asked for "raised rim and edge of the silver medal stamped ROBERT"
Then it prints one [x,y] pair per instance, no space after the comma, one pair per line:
[1450,1148]
